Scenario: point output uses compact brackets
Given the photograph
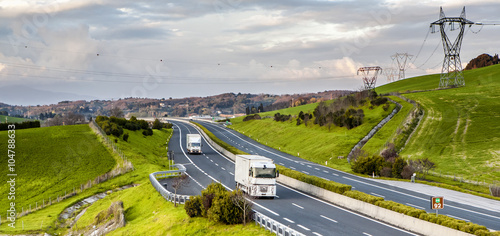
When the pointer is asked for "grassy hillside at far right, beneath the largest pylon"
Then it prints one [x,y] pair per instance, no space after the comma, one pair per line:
[460,131]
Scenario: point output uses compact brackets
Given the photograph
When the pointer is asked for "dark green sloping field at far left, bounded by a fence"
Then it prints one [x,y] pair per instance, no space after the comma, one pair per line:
[50,161]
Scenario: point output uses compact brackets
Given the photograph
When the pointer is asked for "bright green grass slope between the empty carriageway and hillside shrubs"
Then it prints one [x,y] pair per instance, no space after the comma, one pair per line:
[313,142]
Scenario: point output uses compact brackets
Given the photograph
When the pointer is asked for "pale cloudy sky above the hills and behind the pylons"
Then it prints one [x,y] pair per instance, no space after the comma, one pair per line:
[98,49]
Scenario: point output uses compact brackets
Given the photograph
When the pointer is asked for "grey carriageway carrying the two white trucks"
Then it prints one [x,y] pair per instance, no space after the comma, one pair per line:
[301,212]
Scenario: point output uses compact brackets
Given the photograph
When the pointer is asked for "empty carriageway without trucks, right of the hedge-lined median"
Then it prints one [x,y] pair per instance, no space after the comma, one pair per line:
[459,210]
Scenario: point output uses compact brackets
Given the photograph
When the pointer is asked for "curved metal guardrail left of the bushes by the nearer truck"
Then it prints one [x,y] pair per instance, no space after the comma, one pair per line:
[169,196]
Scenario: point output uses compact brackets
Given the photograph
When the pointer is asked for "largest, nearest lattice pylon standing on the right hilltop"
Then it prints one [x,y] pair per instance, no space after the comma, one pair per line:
[451,73]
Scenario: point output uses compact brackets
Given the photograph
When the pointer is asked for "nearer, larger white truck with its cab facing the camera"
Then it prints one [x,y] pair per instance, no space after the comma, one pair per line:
[256,175]
